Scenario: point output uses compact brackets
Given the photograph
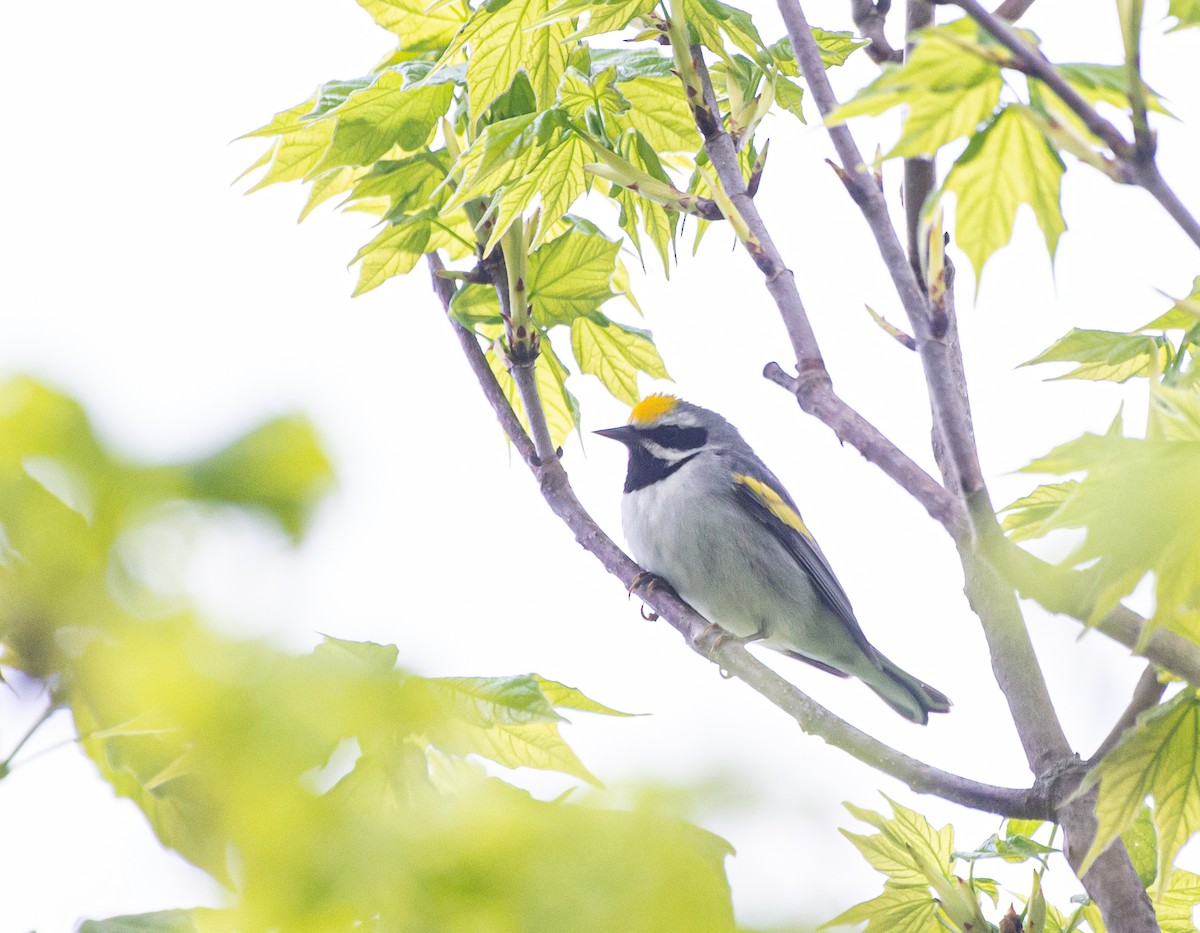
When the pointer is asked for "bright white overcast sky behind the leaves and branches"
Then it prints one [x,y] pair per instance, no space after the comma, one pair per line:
[182,314]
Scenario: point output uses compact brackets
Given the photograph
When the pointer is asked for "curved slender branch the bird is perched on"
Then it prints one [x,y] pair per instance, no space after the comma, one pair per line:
[731,657]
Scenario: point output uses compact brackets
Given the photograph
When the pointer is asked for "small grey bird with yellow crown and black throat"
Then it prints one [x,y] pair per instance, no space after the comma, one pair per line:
[701,511]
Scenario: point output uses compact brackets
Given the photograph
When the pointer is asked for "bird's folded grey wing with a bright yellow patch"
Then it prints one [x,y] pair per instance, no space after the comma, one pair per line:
[771,505]
